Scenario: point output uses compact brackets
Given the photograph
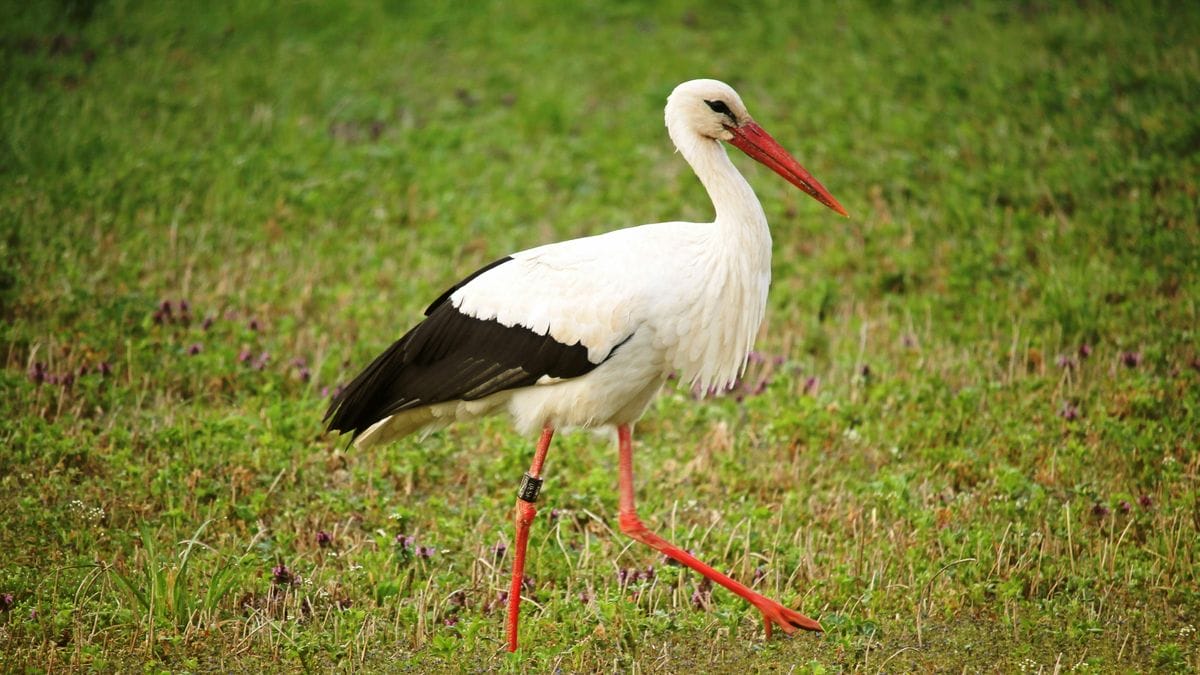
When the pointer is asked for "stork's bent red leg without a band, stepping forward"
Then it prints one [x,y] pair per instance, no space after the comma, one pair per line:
[772,612]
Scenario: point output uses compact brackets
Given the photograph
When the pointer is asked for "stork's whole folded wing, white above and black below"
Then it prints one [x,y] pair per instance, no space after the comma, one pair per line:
[556,312]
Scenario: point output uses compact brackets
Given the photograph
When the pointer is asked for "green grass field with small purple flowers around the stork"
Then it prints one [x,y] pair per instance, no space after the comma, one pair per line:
[969,440]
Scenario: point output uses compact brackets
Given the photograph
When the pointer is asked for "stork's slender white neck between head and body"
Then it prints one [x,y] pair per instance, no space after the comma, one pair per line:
[735,202]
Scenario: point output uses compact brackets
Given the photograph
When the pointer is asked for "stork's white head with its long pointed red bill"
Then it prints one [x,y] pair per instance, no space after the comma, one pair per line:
[712,110]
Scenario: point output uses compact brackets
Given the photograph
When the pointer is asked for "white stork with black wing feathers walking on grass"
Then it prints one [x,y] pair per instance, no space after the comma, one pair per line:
[584,333]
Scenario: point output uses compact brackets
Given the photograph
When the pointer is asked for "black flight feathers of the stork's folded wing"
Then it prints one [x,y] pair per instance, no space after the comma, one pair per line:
[449,357]
